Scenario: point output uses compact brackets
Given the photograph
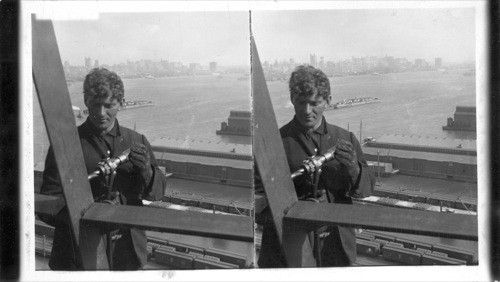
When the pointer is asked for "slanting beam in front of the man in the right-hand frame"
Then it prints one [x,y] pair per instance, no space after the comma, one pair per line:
[274,171]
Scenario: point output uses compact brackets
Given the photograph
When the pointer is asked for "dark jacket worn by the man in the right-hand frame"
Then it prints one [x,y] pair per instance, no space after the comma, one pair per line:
[334,179]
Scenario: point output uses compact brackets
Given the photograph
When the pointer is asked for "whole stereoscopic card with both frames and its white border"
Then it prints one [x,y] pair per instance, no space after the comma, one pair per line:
[255,137]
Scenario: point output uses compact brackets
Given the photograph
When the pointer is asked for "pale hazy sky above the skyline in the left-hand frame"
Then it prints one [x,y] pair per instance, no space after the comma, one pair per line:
[189,37]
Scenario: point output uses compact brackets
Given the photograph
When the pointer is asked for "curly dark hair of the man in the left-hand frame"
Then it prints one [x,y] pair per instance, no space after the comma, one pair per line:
[101,82]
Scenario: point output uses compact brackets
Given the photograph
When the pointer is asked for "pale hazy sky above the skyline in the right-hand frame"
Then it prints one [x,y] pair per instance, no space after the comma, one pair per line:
[340,34]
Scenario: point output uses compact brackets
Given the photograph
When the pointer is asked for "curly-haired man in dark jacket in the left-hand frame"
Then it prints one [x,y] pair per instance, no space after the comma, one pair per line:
[102,137]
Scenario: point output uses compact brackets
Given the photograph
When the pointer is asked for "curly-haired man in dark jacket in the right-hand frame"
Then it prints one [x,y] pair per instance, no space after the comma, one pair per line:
[346,176]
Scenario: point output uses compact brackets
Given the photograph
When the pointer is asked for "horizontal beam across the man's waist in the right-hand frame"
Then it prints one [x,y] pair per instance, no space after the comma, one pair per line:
[444,225]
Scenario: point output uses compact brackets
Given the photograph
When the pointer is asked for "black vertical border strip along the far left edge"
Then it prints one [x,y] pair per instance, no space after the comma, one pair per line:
[9,140]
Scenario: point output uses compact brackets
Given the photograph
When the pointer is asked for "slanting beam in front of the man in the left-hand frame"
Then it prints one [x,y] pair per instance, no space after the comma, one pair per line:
[55,103]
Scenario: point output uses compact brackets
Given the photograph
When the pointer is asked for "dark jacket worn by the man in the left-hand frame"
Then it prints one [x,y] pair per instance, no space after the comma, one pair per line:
[131,192]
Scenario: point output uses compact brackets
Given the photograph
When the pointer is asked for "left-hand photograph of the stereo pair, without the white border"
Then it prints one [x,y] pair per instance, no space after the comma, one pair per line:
[162,111]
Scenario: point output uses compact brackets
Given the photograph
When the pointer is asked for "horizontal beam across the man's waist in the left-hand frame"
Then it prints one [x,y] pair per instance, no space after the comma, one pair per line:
[230,227]
